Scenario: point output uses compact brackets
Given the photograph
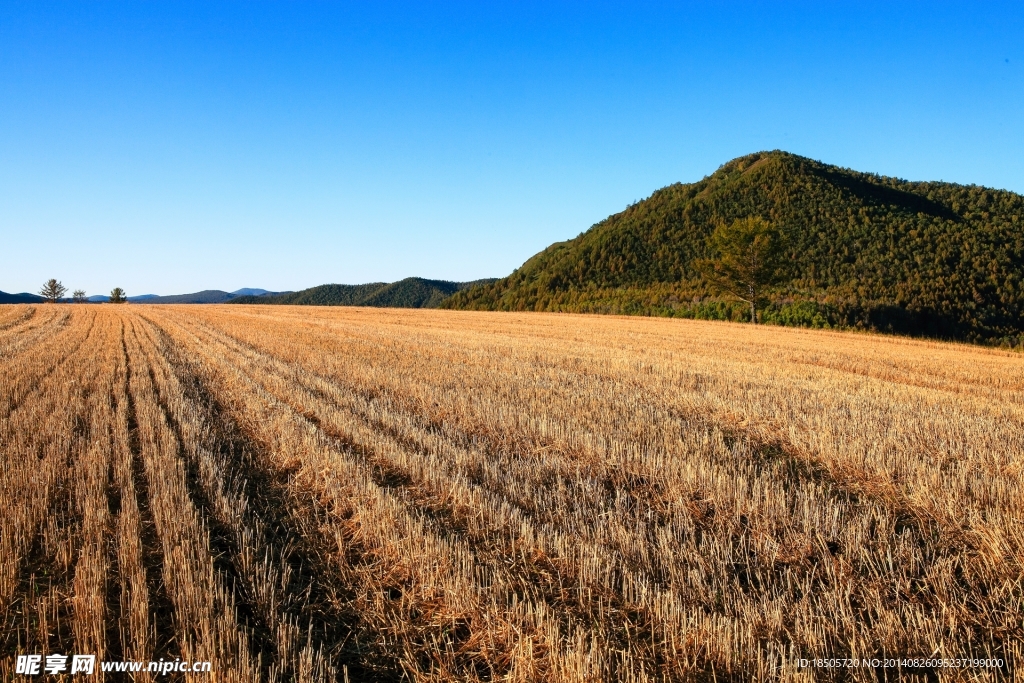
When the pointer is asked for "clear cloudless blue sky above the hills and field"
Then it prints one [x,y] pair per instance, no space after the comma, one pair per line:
[174,147]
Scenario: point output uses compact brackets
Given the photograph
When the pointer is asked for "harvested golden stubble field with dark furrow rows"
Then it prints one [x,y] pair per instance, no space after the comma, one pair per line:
[315,494]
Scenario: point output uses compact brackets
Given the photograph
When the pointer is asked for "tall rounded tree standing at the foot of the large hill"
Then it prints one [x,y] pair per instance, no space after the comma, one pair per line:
[751,259]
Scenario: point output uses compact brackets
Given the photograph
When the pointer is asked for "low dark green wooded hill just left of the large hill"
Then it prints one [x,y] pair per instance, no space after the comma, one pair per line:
[409,293]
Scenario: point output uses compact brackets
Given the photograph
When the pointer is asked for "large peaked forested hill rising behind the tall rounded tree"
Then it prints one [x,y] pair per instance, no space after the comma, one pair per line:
[869,251]
